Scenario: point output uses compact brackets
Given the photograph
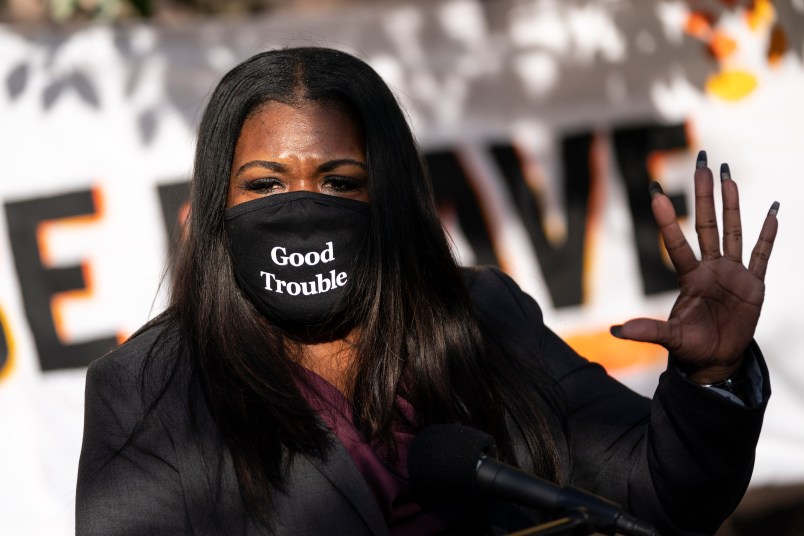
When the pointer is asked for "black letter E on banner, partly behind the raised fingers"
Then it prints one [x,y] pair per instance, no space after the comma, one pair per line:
[633,146]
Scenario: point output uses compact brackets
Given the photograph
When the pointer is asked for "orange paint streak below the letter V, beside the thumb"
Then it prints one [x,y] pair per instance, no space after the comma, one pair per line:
[613,353]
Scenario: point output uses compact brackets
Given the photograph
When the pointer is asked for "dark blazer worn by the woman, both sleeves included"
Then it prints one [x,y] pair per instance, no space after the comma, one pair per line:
[681,460]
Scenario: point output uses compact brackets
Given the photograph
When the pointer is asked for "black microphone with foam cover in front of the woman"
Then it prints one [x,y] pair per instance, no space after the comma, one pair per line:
[456,461]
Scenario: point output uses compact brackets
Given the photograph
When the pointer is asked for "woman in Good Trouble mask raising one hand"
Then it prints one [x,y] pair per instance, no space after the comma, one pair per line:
[318,320]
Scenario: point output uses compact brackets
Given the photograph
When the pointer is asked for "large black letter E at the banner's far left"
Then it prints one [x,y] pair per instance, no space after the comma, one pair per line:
[39,283]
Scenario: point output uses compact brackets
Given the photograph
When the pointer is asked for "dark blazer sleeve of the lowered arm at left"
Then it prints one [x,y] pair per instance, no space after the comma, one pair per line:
[133,490]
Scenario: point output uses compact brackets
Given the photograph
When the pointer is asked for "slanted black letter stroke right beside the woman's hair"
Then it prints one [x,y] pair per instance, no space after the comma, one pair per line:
[452,186]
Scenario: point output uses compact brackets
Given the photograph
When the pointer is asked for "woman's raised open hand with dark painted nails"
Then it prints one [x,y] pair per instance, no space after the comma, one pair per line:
[714,317]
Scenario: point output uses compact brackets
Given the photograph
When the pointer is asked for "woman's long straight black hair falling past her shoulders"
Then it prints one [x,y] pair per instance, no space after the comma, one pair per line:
[418,334]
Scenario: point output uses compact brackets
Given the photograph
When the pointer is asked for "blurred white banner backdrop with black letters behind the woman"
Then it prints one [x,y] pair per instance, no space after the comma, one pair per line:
[542,122]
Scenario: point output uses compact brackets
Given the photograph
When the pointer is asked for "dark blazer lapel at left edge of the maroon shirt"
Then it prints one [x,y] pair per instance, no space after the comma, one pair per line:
[341,472]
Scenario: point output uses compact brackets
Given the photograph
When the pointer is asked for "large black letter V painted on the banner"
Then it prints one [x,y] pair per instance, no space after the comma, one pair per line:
[561,264]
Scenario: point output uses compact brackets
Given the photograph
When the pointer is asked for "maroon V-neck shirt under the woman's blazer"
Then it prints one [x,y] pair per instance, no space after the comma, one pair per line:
[385,473]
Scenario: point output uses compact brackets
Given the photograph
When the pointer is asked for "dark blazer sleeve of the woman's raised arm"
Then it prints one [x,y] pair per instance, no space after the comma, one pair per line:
[681,460]
